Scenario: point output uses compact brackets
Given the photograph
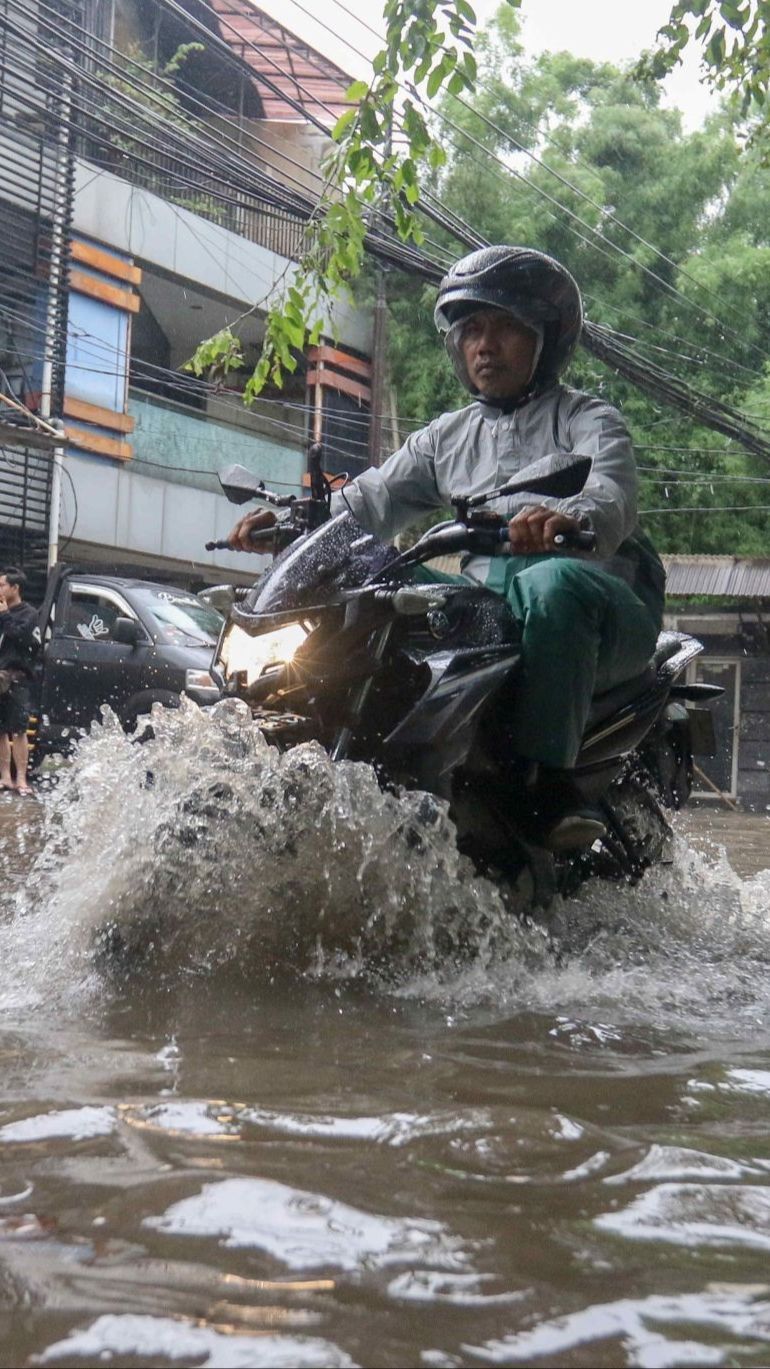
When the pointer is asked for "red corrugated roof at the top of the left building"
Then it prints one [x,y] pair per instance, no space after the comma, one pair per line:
[276,53]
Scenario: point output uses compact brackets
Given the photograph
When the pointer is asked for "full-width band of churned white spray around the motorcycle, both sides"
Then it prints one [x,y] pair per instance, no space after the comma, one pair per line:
[206,848]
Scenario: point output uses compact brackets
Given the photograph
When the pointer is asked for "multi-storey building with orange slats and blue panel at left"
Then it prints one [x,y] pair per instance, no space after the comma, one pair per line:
[160,166]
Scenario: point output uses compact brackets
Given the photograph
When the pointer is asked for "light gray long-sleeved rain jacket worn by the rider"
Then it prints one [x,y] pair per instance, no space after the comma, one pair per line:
[480,448]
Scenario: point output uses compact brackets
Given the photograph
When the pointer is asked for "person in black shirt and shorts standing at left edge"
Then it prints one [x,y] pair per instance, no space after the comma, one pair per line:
[20,644]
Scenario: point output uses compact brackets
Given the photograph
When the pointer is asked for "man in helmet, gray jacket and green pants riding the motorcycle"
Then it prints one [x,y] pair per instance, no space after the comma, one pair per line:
[512,318]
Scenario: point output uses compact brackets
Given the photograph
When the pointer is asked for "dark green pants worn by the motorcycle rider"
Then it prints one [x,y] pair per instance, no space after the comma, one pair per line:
[583,633]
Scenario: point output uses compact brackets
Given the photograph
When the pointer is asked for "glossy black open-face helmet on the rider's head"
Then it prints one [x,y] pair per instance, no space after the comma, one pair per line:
[532,287]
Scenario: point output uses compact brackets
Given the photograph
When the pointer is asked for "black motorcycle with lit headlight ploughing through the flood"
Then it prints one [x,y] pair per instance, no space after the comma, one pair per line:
[339,643]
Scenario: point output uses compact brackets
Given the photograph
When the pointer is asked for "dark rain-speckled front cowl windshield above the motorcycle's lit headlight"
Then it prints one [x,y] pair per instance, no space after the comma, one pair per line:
[316,569]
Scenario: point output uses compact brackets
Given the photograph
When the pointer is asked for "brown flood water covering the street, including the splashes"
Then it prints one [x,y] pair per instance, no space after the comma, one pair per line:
[286,1085]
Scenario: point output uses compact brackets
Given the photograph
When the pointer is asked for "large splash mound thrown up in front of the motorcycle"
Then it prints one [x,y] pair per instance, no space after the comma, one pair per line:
[206,847]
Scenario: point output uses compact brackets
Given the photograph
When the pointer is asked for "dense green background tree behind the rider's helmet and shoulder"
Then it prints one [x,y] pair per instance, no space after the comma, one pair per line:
[673,251]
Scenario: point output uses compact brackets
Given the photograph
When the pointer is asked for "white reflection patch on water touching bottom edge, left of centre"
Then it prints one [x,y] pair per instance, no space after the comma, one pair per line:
[165,1338]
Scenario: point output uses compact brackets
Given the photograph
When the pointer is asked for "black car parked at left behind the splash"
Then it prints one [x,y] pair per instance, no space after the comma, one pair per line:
[119,641]
